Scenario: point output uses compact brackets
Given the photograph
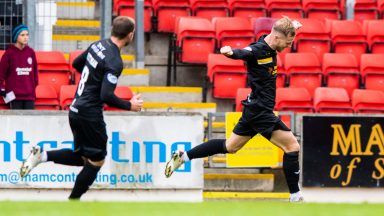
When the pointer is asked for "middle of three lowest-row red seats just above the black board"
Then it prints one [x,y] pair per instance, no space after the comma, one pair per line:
[332,100]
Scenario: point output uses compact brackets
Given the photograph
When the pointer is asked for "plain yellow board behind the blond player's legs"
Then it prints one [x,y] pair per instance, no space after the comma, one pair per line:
[258,152]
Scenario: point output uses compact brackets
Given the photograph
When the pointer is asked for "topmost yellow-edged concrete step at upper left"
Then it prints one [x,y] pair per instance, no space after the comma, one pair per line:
[76,10]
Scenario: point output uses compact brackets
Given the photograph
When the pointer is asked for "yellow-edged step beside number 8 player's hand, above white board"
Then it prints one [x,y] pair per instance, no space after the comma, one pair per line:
[189,96]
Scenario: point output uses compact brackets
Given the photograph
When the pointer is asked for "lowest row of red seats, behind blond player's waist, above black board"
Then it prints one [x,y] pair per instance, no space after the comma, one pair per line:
[325,100]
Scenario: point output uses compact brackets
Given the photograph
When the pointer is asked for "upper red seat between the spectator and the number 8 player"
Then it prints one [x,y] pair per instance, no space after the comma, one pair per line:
[53,69]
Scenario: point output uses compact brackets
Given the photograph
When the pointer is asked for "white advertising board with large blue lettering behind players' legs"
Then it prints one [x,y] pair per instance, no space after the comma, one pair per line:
[138,148]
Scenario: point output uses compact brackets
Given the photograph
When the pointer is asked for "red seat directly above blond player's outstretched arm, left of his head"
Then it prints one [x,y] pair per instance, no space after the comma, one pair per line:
[236,32]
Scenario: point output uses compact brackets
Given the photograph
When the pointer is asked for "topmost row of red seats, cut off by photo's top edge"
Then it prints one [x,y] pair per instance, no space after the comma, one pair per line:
[160,15]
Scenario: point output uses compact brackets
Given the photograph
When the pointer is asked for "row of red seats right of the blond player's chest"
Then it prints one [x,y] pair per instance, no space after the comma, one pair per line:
[335,70]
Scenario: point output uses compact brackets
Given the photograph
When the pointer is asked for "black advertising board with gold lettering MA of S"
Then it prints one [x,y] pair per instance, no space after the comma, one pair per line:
[343,151]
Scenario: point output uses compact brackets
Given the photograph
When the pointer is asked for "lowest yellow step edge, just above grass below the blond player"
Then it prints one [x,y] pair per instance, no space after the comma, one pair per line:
[214,195]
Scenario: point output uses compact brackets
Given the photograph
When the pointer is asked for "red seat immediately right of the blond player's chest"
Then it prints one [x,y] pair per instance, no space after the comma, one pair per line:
[304,70]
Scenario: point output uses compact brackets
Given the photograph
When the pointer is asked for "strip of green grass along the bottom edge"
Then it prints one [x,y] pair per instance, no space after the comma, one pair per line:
[219,208]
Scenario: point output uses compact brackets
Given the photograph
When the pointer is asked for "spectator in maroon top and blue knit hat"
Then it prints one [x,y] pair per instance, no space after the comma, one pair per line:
[18,70]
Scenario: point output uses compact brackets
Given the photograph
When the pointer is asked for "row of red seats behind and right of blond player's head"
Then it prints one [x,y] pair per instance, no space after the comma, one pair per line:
[332,35]
